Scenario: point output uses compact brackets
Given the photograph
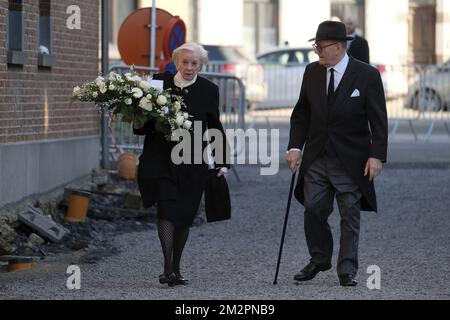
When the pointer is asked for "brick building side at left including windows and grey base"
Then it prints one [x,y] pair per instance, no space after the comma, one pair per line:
[47,47]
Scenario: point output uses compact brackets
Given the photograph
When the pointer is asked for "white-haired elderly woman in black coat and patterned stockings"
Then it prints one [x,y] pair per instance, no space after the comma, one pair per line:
[177,188]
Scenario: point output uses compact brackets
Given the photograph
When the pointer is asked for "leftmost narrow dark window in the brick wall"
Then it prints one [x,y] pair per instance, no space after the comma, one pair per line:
[16,56]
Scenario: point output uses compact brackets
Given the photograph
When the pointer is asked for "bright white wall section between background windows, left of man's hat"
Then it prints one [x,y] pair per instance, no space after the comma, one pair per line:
[298,20]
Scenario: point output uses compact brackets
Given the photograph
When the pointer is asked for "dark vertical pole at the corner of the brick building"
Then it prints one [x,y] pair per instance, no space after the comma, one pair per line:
[105,69]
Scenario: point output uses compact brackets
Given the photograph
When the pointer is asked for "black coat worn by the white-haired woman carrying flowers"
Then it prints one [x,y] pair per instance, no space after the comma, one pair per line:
[158,177]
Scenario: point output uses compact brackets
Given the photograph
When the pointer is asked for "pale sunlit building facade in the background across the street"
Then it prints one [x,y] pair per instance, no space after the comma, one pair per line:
[399,32]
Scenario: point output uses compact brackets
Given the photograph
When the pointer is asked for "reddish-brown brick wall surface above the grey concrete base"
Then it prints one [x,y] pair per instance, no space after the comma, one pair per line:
[35,102]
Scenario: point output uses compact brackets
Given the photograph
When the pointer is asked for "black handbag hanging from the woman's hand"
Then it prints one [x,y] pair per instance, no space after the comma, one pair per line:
[217,197]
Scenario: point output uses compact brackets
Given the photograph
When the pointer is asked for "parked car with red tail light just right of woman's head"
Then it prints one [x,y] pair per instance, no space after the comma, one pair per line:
[229,59]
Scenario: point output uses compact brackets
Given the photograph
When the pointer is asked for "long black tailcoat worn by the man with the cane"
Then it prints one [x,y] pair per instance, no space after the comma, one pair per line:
[345,124]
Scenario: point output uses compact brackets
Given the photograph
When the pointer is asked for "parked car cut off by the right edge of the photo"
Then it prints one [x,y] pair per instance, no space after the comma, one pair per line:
[430,90]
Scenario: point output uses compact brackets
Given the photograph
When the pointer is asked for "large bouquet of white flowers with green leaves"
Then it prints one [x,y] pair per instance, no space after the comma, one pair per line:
[136,100]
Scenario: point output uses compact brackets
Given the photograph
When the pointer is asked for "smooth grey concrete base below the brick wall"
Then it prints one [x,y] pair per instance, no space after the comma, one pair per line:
[38,167]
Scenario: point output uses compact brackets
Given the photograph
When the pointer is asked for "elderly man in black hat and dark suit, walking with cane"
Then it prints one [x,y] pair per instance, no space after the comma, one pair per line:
[338,141]
